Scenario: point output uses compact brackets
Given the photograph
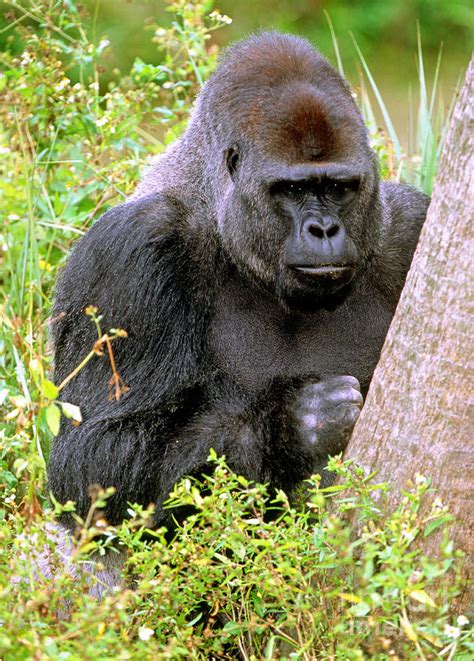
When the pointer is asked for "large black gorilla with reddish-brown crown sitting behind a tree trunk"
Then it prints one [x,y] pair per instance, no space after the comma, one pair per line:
[256,271]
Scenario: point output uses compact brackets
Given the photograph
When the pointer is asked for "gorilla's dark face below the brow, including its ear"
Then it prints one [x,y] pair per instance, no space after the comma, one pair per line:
[291,227]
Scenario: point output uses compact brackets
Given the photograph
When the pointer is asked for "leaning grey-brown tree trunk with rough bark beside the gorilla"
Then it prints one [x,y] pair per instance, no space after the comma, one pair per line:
[418,416]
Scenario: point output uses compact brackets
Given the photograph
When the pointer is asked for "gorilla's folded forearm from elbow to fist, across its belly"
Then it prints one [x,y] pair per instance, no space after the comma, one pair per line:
[281,437]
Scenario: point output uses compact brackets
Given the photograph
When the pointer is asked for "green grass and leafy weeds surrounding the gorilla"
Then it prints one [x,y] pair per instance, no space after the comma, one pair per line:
[71,148]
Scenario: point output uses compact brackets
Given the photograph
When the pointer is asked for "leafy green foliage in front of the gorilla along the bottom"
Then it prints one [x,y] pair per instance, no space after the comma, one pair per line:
[300,585]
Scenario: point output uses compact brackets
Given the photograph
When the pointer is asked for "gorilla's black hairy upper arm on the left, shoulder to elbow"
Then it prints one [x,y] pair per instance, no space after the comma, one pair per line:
[134,266]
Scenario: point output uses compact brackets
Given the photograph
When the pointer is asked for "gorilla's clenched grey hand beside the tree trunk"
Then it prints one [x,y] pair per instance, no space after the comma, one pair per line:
[325,413]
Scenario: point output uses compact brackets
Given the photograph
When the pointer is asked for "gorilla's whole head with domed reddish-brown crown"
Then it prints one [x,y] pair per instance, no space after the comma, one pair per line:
[294,181]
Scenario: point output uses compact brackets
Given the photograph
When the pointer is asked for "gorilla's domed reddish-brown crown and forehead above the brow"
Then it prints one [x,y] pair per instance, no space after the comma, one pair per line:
[278,93]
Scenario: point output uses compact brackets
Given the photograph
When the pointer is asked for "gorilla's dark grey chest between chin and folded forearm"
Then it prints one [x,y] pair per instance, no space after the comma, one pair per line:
[254,342]
